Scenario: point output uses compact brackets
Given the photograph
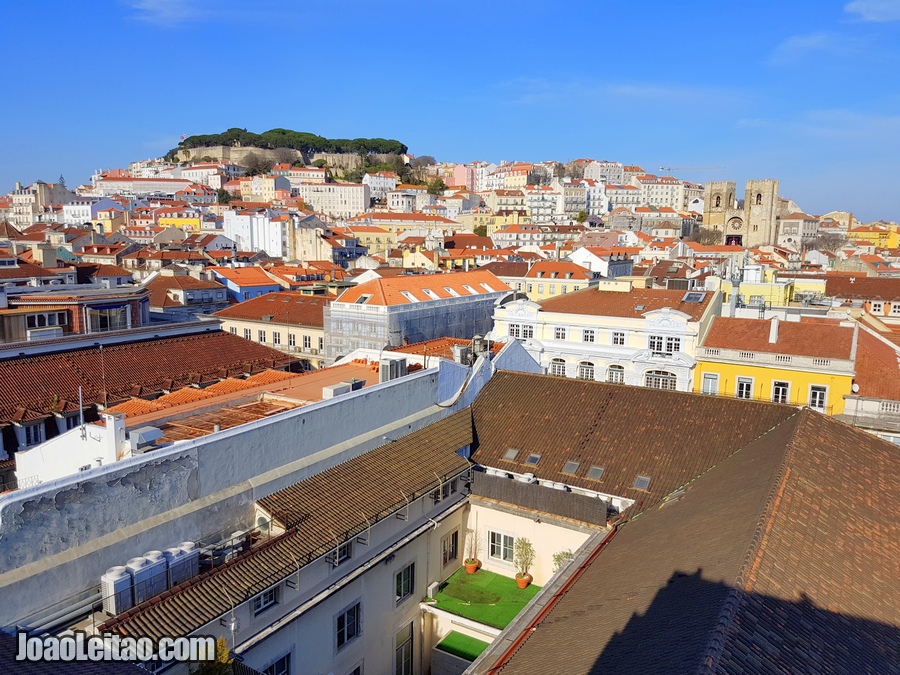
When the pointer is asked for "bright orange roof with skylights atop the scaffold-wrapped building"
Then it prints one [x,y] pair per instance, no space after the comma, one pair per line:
[389,291]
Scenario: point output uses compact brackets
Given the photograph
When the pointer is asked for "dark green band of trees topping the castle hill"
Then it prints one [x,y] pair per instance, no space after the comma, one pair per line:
[304,142]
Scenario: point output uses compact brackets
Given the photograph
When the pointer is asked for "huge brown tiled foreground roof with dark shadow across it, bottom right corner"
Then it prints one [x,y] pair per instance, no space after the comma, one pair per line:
[781,555]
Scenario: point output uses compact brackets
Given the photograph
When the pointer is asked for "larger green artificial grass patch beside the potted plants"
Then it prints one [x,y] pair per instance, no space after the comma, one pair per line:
[485,597]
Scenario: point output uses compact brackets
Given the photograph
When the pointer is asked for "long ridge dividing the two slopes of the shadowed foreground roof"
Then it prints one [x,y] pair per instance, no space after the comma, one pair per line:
[736,594]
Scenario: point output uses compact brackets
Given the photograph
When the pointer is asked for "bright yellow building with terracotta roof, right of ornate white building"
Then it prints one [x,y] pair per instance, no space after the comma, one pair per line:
[802,363]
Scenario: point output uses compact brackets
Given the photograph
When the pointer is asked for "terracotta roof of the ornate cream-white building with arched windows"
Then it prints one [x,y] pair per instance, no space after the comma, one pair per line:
[593,302]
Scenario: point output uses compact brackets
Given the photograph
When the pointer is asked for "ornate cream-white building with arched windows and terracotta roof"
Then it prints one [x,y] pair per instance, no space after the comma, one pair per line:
[614,333]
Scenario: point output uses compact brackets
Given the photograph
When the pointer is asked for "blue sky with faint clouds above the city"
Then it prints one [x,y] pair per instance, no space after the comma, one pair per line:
[806,91]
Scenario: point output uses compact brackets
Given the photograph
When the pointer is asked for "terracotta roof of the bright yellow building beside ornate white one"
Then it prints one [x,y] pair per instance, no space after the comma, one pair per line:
[800,338]
